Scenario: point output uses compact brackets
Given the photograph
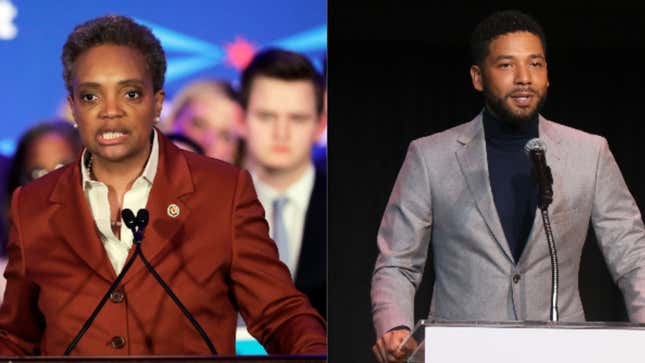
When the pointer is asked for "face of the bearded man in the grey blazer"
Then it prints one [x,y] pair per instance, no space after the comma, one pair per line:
[513,77]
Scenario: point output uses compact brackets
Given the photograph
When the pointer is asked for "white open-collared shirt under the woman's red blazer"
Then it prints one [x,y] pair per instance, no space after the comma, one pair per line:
[134,199]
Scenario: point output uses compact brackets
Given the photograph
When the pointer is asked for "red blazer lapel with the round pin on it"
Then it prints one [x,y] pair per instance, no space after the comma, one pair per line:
[172,184]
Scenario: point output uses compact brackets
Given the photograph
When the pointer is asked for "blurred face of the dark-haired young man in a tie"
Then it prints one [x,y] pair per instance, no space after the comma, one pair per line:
[281,123]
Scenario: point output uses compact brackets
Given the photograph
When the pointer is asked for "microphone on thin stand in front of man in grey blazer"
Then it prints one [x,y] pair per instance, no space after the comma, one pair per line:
[536,151]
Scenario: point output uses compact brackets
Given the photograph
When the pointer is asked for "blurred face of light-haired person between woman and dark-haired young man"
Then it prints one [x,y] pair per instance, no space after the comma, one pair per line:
[211,121]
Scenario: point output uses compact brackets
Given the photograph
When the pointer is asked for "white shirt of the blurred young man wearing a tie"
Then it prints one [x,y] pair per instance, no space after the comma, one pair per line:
[294,212]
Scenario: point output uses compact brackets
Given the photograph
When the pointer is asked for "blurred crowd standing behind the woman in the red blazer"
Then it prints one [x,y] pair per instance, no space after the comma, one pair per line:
[273,125]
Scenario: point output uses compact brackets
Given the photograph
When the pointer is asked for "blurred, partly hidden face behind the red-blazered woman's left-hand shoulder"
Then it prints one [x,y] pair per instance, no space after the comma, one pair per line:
[48,152]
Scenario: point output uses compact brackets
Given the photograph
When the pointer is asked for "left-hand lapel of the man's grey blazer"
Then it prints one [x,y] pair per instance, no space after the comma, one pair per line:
[474,166]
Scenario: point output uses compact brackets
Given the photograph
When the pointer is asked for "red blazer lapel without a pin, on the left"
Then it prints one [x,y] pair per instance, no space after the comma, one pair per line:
[74,223]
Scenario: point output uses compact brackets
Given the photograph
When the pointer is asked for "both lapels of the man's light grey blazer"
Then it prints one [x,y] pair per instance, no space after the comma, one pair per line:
[472,161]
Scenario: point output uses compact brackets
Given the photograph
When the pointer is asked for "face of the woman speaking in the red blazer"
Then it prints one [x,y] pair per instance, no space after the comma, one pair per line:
[113,102]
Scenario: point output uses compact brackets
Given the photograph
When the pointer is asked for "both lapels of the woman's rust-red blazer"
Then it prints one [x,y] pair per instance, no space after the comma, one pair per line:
[74,224]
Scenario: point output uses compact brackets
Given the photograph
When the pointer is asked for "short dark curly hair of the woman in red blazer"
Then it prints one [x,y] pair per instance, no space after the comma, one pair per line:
[117,30]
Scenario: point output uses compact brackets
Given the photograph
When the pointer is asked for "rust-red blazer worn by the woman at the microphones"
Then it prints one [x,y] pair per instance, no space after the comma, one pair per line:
[216,256]
